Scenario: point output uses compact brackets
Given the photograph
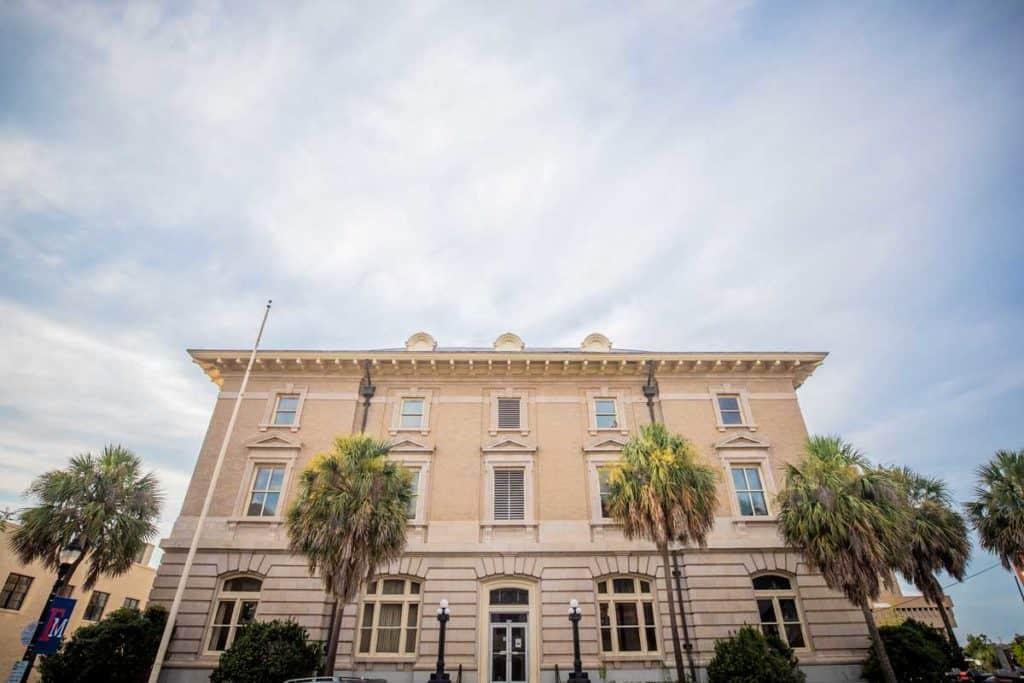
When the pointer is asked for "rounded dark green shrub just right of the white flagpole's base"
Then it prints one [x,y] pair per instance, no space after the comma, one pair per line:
[269,653]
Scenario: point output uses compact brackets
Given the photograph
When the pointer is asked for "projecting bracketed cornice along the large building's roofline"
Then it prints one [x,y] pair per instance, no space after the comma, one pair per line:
[219,364]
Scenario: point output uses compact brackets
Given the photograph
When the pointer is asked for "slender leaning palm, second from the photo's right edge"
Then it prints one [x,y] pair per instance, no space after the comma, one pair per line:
[937,540]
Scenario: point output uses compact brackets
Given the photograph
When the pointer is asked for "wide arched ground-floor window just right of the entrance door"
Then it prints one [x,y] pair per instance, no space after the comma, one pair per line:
[627,615]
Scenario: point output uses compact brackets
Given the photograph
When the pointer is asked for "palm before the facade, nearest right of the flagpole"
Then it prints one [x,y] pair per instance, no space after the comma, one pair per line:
[350,519]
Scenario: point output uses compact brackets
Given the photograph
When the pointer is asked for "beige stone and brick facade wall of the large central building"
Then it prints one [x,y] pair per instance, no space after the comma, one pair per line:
[455,549]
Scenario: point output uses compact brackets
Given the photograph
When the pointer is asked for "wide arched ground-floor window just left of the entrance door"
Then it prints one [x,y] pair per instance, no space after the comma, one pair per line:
[391,617]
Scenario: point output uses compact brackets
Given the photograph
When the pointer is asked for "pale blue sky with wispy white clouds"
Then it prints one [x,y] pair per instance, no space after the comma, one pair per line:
[679,177]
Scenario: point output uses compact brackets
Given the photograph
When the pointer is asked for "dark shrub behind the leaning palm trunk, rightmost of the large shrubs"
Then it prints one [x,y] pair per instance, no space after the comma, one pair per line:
[919,654]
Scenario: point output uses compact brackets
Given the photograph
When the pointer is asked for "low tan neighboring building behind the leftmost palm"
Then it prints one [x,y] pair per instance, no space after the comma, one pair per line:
[27,588]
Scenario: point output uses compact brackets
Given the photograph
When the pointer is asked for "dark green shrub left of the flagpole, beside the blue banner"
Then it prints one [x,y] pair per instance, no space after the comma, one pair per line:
[119,649]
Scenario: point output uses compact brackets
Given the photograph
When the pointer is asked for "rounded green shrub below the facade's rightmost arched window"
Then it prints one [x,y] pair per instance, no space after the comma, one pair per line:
[749,657]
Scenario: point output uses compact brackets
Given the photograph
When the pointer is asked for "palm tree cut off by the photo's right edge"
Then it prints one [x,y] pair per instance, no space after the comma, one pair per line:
[998,515]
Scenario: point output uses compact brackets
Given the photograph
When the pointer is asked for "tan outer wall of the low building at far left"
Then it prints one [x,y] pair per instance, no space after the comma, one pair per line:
[138,584]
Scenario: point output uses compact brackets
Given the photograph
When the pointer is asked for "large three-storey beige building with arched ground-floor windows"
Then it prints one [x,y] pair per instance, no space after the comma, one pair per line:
[509,447]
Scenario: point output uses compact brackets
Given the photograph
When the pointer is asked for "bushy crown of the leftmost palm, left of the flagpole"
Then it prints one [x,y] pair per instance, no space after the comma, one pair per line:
[104,500]
